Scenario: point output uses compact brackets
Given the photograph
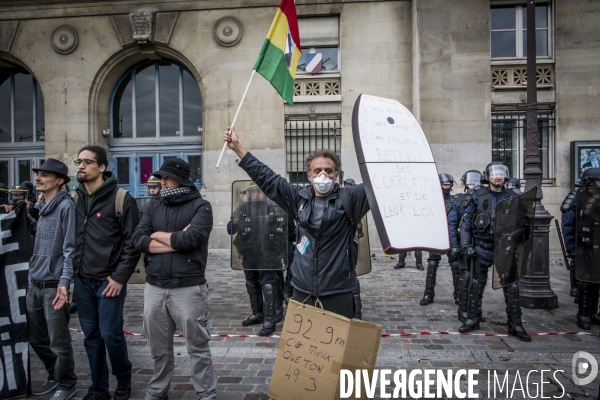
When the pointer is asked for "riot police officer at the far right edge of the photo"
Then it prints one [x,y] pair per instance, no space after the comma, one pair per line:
[581,230]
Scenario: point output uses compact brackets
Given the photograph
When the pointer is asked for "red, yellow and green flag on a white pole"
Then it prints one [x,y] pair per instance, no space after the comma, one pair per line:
[281,50]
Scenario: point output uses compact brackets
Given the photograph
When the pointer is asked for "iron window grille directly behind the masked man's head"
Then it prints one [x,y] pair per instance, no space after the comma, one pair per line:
[305,136]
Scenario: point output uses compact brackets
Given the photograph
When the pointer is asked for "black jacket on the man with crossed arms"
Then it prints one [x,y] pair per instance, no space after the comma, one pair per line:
[185,266]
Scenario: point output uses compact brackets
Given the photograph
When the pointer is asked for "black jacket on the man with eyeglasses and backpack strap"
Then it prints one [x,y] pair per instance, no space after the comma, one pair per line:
[104,246]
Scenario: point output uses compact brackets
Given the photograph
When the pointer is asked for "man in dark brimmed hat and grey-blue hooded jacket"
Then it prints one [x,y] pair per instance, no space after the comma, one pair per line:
[50,274]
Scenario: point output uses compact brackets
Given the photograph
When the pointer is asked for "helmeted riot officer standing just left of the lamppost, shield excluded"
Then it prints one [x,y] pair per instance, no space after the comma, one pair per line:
[478,224]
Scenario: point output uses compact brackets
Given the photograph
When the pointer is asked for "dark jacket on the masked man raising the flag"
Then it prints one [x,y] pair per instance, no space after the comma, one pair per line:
[324,267]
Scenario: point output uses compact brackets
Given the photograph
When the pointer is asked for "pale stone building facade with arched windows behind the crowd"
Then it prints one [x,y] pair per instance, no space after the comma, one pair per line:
[77,73]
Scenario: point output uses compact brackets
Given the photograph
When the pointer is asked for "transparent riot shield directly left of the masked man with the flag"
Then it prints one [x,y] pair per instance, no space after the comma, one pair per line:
[258,230]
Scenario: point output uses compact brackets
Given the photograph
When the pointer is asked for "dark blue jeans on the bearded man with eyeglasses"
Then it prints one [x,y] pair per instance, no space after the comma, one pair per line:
[101,320]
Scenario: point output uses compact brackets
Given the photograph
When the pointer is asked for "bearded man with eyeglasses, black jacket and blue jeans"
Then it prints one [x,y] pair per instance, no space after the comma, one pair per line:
[104,260]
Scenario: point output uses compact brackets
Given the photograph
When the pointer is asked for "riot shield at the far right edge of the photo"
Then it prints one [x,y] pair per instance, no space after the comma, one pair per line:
[587,244]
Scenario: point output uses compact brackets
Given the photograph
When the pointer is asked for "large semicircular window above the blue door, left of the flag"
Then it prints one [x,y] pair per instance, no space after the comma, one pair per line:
[156,99]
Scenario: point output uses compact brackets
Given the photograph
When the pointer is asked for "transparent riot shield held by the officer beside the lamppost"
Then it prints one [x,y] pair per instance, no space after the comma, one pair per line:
[513,238]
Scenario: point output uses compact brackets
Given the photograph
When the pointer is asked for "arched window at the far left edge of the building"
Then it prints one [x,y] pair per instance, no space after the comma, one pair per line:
[22,125]
